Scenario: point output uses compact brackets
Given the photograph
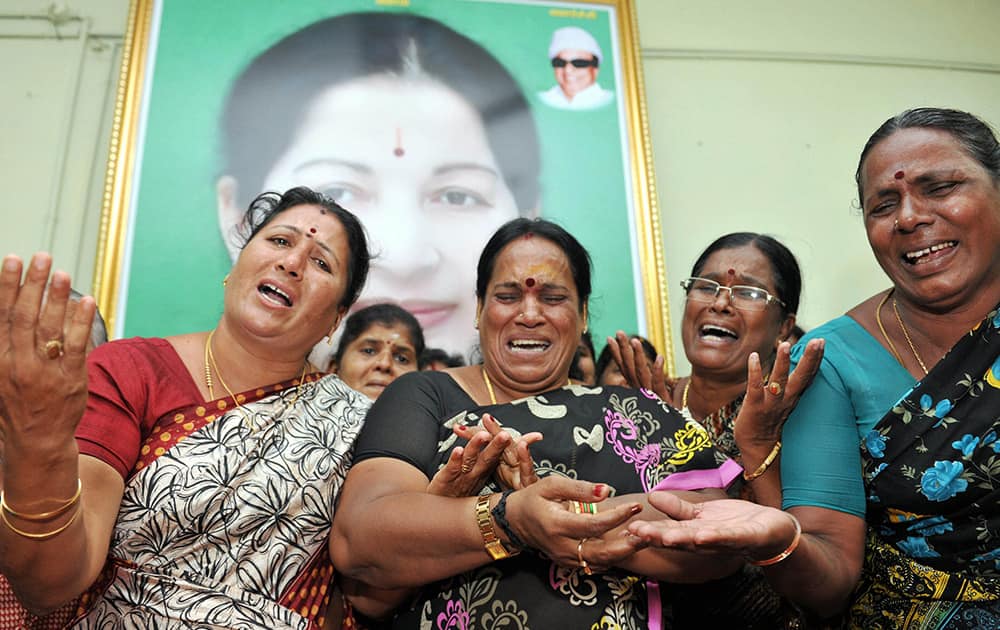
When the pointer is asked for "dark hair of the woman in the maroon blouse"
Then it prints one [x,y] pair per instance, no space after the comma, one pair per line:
[268,205]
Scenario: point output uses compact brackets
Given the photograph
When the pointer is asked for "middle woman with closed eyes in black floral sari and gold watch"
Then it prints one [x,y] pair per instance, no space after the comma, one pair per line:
[524,552]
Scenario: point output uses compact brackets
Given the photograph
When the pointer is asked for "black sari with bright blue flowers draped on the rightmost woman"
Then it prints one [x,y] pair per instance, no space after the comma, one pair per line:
[932,475]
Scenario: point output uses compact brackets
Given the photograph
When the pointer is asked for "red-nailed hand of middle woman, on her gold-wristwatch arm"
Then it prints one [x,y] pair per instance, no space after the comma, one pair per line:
[539,516]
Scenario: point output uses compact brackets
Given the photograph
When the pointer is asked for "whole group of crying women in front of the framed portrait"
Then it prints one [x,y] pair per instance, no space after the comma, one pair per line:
[221,479]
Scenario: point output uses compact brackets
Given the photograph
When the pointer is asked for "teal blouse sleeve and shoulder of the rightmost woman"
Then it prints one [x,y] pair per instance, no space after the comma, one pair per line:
[858,382]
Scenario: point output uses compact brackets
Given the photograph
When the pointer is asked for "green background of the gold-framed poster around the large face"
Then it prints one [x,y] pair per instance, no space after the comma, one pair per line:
[178,258]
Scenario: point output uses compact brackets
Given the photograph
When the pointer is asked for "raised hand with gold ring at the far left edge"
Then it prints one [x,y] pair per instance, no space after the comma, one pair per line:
[43,376]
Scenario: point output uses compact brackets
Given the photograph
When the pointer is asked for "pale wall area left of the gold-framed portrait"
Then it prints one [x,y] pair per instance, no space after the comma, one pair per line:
[58,67]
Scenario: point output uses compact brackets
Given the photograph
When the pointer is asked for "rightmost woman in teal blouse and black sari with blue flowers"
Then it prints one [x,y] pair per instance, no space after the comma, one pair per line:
[913,374]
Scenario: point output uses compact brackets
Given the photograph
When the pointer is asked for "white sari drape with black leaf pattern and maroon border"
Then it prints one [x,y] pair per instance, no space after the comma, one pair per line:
[225,519]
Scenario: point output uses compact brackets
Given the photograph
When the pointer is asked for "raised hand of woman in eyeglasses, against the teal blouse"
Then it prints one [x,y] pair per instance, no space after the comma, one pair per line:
[767,405]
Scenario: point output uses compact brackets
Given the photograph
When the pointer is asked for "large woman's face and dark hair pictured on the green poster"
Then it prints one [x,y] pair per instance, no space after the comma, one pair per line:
[411,125]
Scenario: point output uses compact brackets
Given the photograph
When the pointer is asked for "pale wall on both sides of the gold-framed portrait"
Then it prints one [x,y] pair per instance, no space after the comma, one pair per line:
[757,113]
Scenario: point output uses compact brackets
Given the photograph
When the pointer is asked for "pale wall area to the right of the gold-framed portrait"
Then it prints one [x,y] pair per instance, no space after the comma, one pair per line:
[758,111]
